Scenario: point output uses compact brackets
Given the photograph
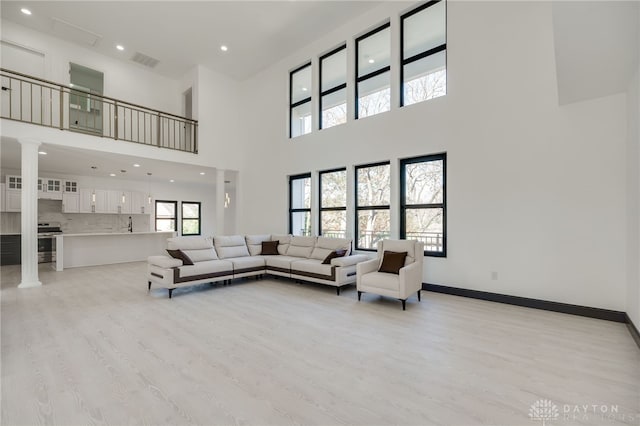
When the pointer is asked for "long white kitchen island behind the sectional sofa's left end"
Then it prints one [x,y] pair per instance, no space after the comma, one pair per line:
[105,248]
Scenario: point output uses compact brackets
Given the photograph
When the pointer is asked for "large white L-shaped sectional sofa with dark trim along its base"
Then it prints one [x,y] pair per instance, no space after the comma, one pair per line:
[227,257]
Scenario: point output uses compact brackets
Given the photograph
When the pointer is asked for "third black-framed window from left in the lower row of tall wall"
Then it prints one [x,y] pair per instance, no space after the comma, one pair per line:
[373,222]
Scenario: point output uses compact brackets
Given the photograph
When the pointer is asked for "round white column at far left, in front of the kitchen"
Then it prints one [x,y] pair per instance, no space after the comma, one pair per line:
[29,215]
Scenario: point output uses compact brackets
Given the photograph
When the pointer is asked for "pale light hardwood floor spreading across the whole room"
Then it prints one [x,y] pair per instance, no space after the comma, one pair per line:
[91,346]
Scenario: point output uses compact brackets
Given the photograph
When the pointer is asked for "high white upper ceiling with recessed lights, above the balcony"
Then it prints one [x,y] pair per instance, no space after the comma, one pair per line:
[182,34]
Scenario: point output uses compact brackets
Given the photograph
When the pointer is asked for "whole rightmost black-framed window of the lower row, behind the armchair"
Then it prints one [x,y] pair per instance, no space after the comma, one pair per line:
[423,201]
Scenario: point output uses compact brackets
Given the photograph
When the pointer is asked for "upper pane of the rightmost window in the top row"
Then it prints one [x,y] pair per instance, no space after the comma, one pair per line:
[425,30]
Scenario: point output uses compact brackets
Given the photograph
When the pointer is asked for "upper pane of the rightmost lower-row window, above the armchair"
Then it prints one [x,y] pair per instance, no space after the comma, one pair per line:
[424,182]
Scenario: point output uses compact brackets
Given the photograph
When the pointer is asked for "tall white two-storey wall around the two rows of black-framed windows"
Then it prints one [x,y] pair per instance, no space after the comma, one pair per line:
[535,191]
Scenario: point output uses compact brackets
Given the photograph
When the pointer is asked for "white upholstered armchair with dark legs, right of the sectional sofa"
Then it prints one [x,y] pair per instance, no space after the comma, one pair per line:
[399,286]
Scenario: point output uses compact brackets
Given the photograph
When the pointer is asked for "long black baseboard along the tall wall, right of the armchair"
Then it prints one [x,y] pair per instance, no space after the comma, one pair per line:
[585,311]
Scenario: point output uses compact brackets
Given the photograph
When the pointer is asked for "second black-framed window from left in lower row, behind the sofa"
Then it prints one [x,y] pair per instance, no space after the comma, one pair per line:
[333,203]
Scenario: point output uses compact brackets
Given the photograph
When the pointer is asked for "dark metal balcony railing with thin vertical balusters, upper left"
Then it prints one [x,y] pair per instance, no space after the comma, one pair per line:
[44,103]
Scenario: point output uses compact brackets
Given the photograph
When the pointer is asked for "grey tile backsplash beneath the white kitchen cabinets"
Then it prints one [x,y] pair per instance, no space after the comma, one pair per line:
[78,223]
